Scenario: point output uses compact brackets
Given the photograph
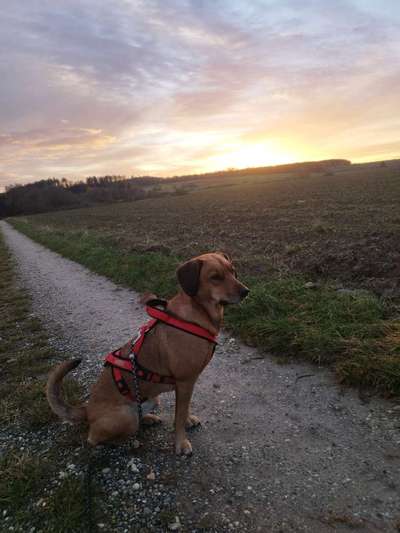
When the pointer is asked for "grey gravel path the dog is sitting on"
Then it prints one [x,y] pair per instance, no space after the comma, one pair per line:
[282,448]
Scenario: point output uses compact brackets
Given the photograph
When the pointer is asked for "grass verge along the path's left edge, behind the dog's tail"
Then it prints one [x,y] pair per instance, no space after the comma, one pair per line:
[29,496]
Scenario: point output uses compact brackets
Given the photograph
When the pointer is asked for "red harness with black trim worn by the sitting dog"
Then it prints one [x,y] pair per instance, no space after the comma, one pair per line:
[128,363]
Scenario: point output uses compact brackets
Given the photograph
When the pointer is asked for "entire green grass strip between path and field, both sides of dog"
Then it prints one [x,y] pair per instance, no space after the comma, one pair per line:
[356,333]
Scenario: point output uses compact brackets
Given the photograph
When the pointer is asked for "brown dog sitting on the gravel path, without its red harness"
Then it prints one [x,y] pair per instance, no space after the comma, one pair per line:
[208,282]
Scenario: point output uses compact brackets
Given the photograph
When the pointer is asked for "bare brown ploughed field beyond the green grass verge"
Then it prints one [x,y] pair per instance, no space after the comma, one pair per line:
[344,226]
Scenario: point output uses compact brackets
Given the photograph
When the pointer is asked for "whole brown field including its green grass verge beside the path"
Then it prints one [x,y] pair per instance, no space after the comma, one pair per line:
[339,231]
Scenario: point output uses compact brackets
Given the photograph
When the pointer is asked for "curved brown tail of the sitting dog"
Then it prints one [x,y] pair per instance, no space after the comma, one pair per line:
[54,393]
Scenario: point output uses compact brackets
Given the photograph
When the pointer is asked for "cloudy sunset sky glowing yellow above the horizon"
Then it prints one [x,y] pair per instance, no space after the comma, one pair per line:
[167,87]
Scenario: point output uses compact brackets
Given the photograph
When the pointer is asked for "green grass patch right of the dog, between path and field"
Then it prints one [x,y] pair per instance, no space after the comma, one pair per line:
[352,332]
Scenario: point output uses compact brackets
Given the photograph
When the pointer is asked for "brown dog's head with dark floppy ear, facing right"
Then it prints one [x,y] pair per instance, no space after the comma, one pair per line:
[212,278]
